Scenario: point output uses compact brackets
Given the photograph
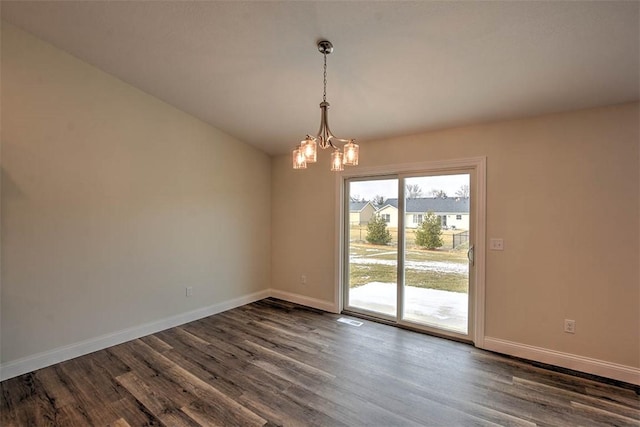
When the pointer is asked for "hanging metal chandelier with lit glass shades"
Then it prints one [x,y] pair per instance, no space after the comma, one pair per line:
[307,152]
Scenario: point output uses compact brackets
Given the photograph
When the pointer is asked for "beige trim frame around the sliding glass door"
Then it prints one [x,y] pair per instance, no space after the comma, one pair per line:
[478,166]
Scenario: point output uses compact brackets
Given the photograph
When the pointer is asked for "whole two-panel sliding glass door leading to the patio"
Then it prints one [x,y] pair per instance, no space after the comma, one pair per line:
[409,249]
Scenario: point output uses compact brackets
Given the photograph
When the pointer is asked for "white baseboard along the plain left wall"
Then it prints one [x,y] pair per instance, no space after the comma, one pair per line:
[37,361]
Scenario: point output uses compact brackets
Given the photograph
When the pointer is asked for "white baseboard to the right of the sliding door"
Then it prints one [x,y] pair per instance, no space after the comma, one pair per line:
[601,368]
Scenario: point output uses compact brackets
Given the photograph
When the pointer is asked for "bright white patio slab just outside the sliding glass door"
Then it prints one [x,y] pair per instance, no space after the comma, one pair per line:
[448,310]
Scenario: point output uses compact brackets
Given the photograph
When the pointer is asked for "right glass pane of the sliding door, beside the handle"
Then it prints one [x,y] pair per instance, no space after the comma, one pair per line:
[436,237]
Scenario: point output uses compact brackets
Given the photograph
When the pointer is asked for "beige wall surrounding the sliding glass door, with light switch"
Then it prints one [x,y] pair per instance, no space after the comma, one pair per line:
[562,191]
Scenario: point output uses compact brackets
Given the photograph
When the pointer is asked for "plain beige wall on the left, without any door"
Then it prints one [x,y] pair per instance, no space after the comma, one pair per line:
[113,202]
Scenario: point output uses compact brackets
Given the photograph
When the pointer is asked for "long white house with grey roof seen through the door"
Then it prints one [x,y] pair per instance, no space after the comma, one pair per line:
[453,211]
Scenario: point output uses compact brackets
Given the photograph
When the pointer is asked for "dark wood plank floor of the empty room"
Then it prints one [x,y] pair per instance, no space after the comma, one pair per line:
[275,363]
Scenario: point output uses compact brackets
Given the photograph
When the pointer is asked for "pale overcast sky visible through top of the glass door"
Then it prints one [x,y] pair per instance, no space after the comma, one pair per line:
[388,188]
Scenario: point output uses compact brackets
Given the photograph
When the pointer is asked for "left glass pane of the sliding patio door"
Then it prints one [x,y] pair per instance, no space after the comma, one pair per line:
[372,247]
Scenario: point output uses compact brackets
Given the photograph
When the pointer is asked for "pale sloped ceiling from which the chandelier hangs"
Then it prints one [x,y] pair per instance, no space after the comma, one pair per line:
[252,69]
